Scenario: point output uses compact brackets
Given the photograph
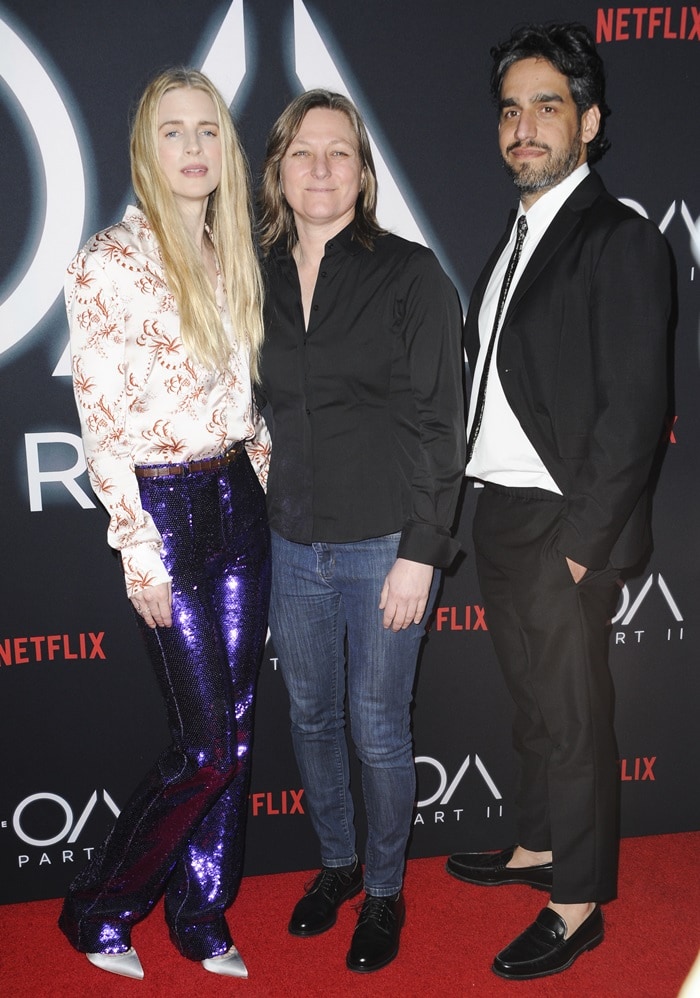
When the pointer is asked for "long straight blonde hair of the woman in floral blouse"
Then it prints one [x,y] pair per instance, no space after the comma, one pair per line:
[228,217]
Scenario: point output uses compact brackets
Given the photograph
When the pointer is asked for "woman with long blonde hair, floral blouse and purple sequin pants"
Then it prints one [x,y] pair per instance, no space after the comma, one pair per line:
[165,318]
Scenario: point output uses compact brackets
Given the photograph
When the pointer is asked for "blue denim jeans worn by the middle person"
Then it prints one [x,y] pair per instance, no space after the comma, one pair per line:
[321,595]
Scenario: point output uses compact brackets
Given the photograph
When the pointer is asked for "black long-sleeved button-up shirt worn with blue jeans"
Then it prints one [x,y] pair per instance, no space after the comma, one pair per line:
[365,406]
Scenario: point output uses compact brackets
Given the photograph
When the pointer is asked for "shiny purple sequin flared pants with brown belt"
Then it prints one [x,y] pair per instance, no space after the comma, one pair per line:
[182,832]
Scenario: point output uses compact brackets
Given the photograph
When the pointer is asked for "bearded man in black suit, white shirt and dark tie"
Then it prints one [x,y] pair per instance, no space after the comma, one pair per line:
[567,340]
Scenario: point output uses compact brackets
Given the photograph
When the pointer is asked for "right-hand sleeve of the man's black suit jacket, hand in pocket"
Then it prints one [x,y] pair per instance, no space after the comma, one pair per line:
[630,304]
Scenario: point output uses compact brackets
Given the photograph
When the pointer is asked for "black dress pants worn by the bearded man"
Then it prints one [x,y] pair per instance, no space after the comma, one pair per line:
[551,639]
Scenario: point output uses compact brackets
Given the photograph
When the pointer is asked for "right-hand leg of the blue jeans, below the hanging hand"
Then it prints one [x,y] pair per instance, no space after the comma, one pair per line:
[381,673]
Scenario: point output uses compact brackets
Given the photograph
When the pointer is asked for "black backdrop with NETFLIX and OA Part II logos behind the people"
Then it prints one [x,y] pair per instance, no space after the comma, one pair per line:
[80,716]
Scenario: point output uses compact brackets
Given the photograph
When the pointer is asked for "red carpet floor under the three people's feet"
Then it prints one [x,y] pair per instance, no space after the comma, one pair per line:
[452,932]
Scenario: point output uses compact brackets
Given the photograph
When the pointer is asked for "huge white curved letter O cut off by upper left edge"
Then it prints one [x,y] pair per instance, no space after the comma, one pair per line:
[41,278]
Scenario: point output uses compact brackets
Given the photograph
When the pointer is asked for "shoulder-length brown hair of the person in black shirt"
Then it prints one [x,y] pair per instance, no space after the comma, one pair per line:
[276,217]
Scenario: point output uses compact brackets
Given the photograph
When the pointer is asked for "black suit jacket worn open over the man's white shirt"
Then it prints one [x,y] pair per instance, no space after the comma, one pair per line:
[582,359]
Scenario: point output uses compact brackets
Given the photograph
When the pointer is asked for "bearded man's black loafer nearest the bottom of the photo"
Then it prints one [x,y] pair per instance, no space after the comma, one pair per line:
[542,950]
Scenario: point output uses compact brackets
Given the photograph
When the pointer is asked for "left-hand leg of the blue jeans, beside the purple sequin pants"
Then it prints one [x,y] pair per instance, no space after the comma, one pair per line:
[307,625]
